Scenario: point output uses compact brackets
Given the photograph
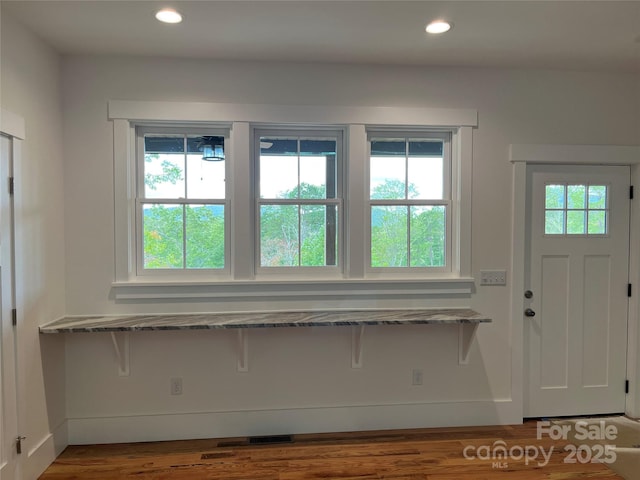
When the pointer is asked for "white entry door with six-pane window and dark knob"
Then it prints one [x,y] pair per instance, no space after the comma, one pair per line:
[576,316]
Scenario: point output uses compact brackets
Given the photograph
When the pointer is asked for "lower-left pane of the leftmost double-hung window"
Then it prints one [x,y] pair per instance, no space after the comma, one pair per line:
[162,236]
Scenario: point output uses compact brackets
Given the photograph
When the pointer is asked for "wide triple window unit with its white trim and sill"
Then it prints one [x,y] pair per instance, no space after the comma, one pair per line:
[233,201]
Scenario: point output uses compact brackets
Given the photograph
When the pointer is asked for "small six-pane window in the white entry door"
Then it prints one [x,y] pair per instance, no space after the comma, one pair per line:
[576,209]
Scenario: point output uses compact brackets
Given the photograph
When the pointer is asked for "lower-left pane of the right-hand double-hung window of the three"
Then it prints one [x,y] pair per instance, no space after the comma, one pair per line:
[389,236]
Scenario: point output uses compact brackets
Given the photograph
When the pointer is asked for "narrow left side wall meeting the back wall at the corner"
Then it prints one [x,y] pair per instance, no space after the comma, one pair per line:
[30,87]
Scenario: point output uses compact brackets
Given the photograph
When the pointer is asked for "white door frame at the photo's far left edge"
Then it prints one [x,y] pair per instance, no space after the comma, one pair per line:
[12,126]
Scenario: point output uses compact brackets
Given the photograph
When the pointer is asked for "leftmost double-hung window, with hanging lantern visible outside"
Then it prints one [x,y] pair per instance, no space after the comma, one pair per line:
[181,201]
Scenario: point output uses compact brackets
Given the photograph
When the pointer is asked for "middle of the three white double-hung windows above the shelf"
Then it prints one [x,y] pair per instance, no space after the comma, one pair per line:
[299,198]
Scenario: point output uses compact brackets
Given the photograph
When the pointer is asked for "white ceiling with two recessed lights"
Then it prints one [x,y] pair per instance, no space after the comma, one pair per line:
[580,35]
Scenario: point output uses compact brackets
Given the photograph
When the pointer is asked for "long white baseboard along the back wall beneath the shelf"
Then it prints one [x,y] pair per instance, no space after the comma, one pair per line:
[144,428]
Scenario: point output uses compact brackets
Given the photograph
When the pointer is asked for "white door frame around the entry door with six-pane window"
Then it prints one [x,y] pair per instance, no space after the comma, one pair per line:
[522,156]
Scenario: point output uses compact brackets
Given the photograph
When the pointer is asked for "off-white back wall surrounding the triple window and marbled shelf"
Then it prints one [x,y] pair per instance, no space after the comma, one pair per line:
[300,379]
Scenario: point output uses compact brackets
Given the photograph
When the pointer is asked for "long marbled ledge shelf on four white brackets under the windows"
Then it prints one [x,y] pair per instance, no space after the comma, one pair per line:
[120,327]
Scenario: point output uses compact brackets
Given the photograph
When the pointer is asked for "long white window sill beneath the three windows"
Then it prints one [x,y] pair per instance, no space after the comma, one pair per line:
[279,289]
